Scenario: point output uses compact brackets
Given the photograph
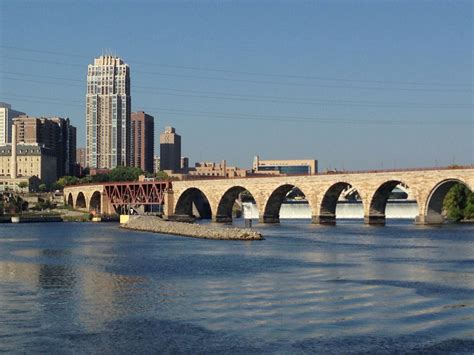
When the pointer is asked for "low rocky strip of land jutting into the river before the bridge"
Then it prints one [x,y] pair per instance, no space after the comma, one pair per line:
[157,225]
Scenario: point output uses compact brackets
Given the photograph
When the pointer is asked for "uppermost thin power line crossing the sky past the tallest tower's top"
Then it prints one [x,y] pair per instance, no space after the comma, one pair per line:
[305,77]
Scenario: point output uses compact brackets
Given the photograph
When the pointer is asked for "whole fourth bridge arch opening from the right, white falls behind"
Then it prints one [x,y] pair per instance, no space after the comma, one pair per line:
[293,197]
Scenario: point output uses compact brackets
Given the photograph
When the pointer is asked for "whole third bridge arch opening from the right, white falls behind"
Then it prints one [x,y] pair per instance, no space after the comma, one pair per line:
[349,198]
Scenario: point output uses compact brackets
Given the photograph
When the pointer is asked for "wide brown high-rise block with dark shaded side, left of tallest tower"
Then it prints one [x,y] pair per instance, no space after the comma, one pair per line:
[55,133]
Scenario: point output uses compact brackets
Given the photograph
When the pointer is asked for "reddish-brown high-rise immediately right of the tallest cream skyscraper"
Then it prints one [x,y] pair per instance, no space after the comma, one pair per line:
[143,138]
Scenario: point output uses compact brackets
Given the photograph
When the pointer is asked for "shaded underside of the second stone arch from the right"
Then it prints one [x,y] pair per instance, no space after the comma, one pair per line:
[378,201]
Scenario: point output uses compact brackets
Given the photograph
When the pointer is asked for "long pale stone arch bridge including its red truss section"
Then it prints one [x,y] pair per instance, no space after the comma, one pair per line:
[214,198]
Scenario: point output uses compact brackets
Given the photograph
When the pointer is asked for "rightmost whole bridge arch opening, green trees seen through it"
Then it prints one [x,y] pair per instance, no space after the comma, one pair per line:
[435,207]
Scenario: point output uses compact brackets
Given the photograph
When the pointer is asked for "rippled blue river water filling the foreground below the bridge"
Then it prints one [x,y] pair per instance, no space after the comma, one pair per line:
[94,288]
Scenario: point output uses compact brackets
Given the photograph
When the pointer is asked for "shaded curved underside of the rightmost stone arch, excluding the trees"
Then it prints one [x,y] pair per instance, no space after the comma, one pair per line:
[434,203]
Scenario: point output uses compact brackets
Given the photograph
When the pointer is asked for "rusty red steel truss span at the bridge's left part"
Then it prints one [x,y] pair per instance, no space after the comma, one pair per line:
[137,193]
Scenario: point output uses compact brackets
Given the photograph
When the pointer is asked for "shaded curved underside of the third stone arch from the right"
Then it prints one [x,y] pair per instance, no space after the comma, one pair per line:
[327,207]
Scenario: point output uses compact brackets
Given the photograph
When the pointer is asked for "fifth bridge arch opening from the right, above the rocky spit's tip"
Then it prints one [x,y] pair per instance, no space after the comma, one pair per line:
[236,202]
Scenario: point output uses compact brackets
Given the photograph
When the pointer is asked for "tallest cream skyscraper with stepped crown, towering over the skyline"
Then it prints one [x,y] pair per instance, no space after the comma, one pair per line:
[108,105]
